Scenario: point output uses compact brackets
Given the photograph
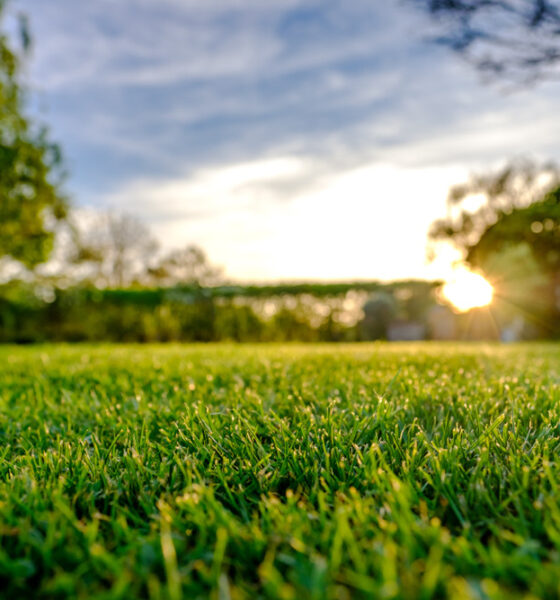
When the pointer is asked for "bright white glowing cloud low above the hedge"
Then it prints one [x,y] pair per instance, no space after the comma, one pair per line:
[368,222]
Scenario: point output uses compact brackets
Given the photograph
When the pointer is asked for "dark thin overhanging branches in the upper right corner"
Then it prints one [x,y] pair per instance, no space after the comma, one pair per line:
[513,39]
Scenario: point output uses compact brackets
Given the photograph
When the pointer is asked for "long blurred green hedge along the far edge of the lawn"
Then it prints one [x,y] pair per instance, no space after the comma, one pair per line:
[304,312]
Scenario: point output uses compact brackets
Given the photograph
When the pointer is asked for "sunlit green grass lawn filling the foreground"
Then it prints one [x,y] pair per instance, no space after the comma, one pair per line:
[364,471]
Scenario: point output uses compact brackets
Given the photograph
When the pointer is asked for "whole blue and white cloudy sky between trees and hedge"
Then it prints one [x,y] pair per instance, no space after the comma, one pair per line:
[290,139]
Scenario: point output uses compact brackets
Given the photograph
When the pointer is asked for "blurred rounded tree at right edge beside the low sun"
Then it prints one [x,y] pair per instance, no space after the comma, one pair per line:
[513,237]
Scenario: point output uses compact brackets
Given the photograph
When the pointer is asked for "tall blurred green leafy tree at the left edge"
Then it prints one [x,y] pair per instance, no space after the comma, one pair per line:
[30,174]
